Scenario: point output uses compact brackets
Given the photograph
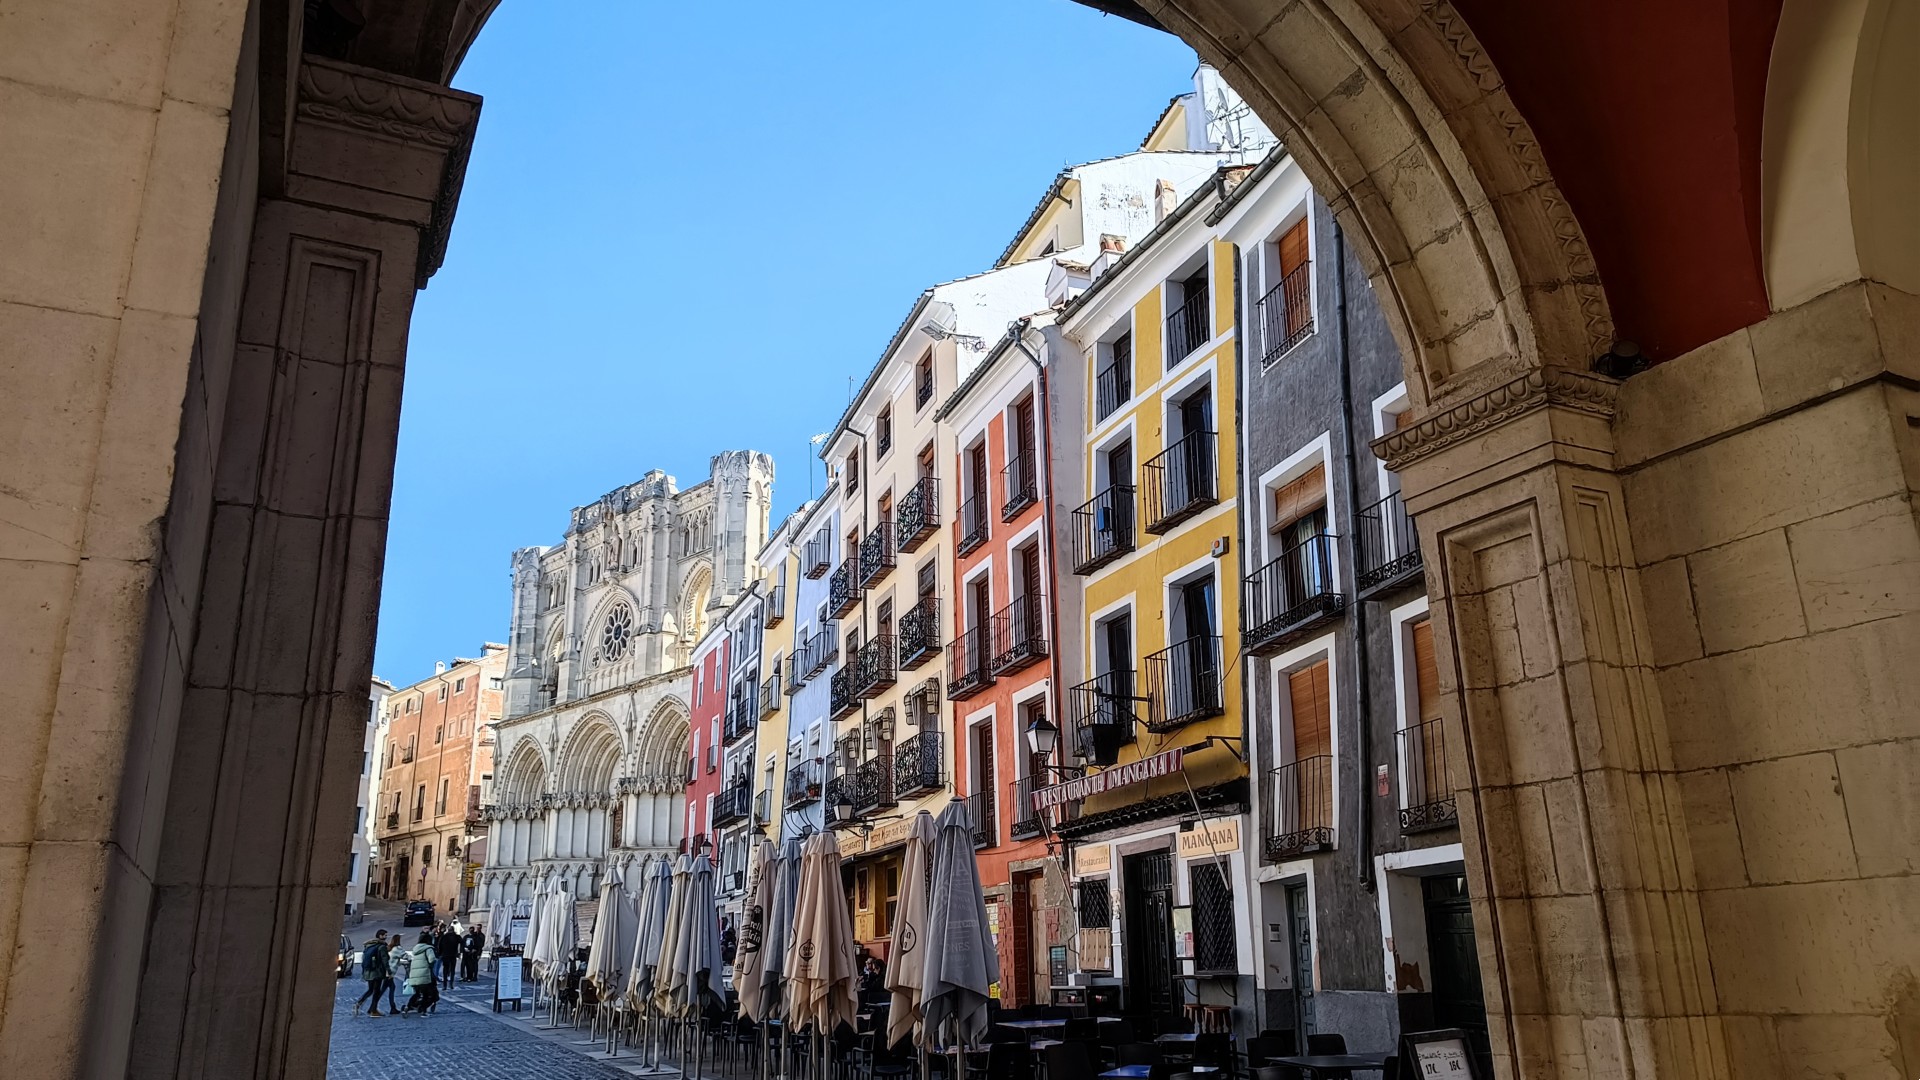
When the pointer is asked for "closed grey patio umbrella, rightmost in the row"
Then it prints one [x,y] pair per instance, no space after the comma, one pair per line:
[961,962]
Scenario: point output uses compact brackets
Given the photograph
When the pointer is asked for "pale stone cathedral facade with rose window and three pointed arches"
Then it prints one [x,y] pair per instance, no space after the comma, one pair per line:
[594,745]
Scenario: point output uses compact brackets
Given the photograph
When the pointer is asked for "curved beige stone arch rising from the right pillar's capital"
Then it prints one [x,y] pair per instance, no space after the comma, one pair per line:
[1401,120]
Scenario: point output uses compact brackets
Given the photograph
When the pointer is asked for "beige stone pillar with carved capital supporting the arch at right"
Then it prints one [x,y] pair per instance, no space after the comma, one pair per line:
[1587,908]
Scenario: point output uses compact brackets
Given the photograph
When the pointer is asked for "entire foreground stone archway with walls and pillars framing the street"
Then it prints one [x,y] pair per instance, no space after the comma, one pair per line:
[1677,614]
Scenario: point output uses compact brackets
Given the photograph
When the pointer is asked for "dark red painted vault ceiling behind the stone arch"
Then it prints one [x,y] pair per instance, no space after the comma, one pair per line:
[1648,114]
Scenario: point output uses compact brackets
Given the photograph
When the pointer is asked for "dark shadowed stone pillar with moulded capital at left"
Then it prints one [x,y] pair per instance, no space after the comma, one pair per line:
[252,845]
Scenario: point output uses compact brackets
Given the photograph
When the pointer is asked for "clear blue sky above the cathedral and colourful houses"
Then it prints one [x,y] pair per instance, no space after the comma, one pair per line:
[686,226]
